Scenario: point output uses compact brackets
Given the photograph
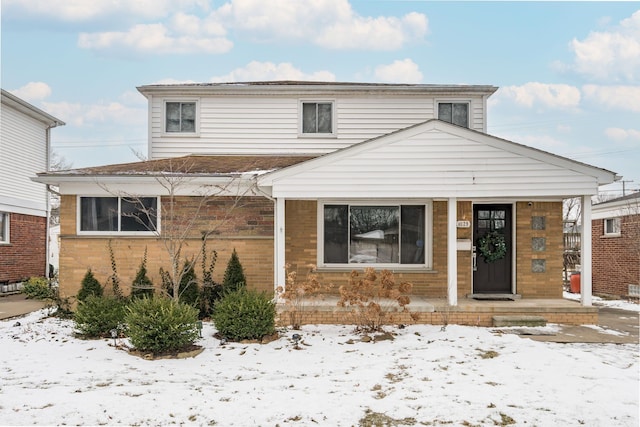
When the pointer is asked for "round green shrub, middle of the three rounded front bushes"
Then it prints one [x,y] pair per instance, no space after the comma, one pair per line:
[159,324]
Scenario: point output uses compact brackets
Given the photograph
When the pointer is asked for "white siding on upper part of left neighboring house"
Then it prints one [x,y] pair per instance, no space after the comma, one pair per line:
[22,155]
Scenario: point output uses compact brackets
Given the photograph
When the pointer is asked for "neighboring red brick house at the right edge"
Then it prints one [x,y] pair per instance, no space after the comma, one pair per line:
[616,247]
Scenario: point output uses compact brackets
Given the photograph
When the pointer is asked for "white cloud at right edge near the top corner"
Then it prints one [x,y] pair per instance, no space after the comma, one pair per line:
[610,55]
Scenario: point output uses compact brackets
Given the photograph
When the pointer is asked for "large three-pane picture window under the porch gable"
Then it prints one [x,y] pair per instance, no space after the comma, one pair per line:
[377,234]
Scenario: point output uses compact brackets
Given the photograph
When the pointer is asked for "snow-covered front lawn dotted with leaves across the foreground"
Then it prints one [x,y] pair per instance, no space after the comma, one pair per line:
[461,376]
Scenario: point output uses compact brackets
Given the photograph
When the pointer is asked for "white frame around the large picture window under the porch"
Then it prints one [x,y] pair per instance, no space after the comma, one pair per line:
[428,241]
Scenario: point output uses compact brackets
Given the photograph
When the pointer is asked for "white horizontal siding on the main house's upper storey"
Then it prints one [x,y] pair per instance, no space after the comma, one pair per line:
[269,124]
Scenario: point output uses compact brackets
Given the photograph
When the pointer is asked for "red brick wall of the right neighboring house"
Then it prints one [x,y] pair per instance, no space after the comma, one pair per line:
[616,260]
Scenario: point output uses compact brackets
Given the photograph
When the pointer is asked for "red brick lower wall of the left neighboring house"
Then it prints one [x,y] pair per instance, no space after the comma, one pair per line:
[25,256]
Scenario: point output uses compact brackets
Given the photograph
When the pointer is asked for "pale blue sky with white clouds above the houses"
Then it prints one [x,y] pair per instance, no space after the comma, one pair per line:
[569,72]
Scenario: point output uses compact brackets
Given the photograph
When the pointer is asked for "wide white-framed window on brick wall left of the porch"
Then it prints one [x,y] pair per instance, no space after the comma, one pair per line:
[136,215]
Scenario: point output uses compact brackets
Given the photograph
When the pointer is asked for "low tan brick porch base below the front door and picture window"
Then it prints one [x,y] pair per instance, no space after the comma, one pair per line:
[437,311]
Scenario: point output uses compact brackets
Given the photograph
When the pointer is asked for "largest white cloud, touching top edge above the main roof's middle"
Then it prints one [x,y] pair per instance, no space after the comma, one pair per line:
[331,24]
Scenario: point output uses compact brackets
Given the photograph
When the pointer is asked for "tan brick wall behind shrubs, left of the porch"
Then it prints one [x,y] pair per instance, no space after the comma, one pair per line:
[247,227]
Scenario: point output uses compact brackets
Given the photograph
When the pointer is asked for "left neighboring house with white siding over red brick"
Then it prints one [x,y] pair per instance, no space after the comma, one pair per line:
[24,204]
